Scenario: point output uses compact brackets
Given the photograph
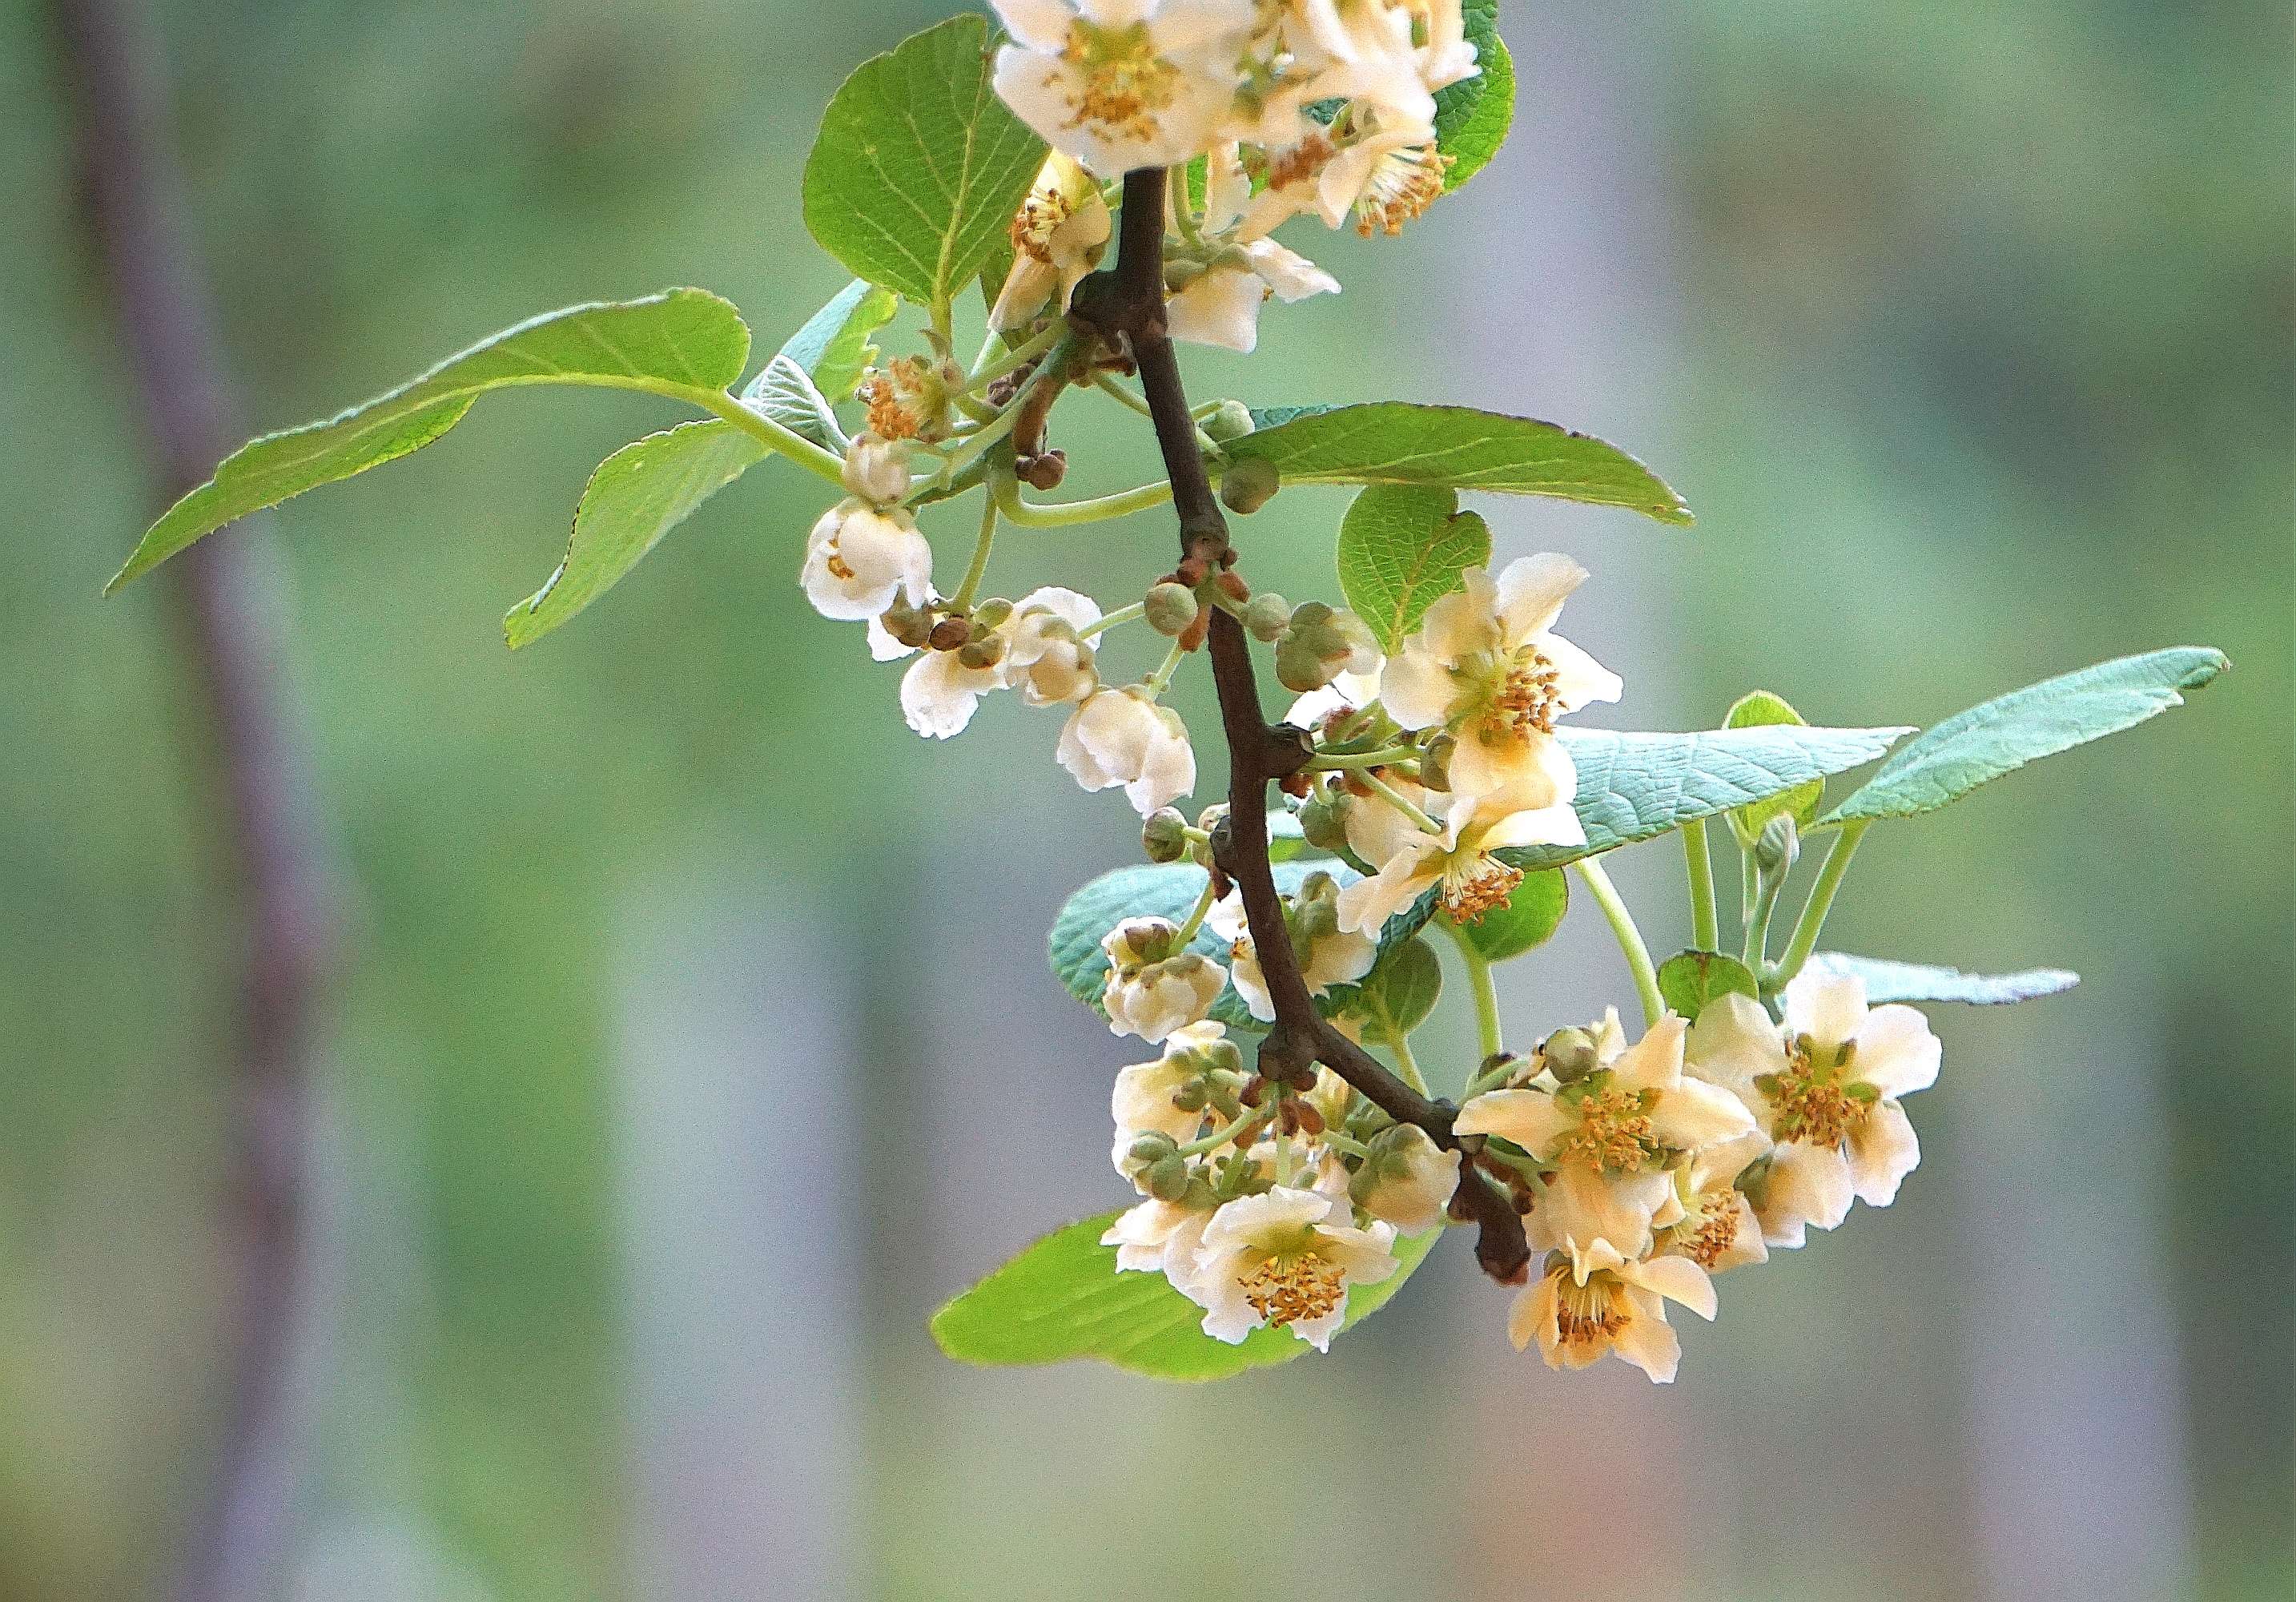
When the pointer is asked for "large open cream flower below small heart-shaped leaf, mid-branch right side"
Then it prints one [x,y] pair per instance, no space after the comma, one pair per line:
[1489,667]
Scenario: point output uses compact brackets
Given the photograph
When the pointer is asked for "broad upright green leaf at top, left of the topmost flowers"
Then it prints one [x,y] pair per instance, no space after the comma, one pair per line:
[920,166]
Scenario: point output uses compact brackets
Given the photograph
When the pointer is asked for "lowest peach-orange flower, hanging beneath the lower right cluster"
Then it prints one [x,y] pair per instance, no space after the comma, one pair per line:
[1590,1300]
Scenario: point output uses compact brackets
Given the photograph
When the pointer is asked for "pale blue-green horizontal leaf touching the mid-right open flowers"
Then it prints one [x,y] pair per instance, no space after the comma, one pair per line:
[1640,786]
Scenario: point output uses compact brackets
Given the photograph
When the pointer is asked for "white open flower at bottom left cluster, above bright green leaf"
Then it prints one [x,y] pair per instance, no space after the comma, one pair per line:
[1280,1259]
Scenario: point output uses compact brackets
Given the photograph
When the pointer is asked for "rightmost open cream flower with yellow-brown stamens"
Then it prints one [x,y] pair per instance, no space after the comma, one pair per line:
[1826,1091]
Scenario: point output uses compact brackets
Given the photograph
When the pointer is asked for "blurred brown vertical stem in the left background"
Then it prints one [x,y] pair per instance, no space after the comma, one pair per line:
[258,770]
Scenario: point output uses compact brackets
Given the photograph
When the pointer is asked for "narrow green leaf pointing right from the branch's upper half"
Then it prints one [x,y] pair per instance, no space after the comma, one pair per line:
[1406,444]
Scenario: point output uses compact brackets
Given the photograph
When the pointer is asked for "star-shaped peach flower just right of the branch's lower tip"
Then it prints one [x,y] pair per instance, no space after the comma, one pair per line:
[1613,1140]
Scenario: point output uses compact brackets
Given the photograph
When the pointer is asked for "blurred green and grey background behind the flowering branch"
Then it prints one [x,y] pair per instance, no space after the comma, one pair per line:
[695,1041]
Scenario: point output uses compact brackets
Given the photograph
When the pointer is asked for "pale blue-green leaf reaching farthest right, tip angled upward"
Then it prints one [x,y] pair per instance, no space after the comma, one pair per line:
[2038,722]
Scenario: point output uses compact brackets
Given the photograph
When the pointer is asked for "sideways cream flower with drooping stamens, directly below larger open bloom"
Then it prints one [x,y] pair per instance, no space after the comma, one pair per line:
[1459,860]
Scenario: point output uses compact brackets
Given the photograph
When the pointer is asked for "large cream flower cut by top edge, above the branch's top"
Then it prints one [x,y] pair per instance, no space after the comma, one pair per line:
[1124,84]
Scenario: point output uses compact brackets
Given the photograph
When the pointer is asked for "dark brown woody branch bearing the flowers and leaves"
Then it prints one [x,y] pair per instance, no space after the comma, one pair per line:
[1124,306]
